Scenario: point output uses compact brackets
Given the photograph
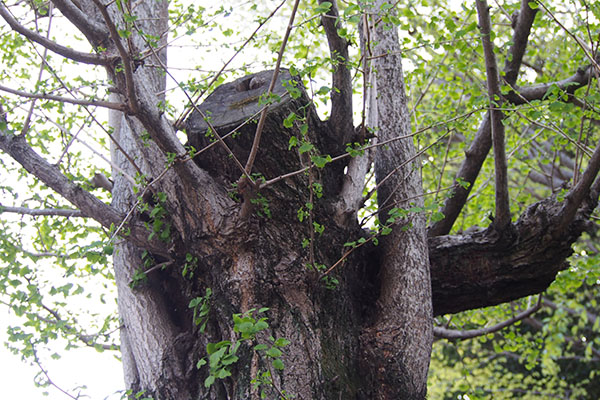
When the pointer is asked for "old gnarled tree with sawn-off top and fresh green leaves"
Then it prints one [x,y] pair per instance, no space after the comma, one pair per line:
[241,265]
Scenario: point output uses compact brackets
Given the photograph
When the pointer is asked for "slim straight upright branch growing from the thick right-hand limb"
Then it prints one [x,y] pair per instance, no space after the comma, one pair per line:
[502,219]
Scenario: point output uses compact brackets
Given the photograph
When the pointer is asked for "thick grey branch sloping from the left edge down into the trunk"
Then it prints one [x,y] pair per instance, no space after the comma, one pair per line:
[90,206]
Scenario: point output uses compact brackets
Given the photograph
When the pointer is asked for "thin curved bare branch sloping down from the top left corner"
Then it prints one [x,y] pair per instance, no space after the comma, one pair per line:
[86,58]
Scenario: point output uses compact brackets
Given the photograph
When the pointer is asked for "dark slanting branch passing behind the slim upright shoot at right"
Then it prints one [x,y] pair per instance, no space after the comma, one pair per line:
[477,152]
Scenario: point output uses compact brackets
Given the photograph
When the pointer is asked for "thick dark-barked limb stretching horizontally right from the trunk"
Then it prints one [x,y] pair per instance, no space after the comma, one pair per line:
[477,269]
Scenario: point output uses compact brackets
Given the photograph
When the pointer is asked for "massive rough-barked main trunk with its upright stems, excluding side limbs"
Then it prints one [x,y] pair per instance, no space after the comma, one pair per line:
[253,261]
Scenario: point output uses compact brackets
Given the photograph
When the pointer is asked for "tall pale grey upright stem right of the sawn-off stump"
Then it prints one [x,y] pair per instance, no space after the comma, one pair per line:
[398,345]
